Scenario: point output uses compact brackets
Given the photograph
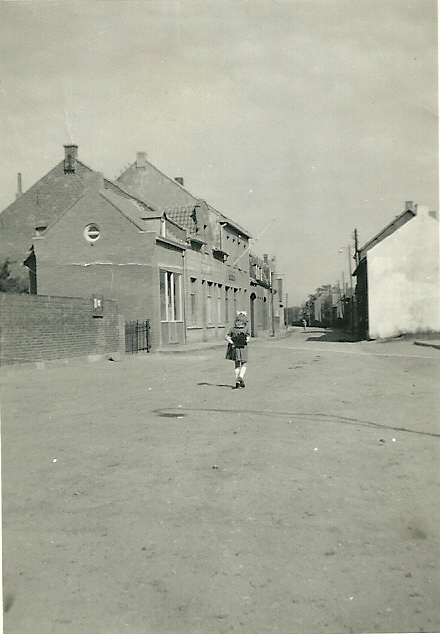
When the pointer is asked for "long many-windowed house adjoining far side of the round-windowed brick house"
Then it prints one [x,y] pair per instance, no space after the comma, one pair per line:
[216,278]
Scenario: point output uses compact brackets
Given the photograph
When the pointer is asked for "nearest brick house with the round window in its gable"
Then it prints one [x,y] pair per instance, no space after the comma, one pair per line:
[114,247]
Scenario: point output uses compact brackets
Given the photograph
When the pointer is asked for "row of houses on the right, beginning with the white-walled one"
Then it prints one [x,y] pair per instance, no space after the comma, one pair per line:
[397,285]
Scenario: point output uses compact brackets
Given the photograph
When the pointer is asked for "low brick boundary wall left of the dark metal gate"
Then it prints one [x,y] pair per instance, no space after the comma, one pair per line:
[43,328]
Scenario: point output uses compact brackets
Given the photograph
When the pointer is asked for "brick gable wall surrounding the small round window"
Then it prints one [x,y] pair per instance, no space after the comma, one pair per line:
[119,266]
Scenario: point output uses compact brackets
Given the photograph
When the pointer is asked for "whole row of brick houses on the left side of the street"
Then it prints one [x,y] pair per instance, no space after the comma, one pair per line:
[144,241]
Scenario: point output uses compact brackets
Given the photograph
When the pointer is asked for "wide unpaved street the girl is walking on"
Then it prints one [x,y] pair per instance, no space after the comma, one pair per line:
[148,497]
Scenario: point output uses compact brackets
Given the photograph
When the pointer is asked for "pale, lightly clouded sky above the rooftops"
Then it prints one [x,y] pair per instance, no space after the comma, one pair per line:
[301,120]
